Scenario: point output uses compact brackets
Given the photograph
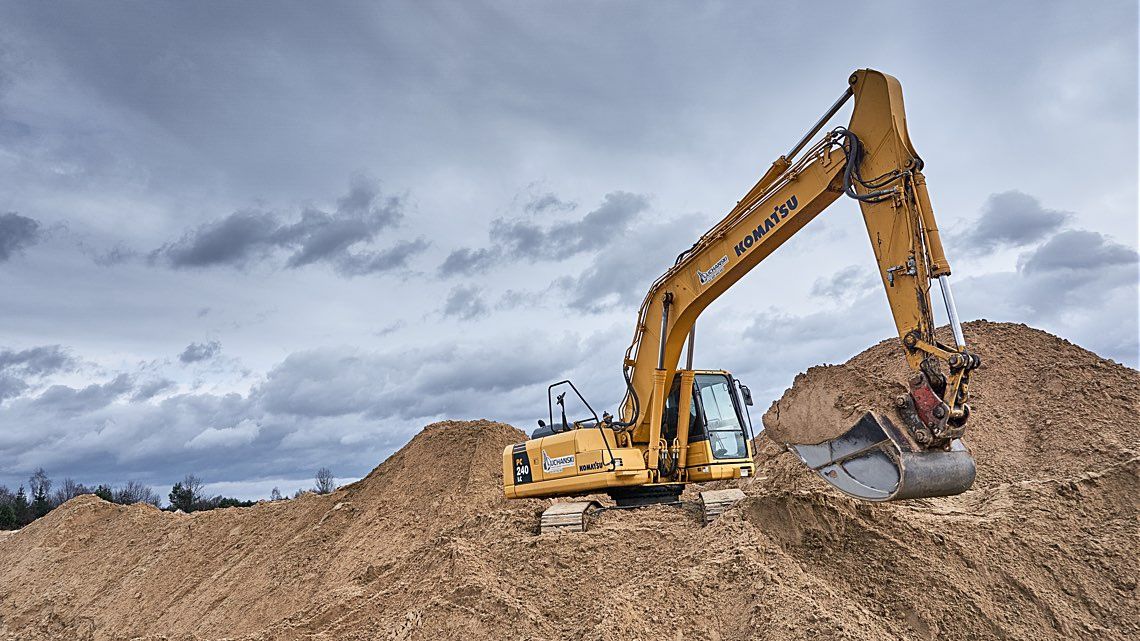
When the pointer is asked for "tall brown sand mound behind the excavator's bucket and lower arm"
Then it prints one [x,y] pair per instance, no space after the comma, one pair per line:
[1044,405]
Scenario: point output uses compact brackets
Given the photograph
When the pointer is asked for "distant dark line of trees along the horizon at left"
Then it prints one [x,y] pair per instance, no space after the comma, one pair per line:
[20,508]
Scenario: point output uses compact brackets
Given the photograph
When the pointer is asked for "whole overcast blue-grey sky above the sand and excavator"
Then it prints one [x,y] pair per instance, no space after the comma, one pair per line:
[250,240]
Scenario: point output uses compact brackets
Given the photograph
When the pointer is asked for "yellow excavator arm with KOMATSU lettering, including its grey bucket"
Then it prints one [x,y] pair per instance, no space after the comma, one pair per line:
[872,160]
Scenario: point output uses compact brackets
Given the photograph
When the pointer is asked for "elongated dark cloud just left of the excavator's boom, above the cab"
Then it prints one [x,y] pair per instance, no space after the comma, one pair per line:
[599,229]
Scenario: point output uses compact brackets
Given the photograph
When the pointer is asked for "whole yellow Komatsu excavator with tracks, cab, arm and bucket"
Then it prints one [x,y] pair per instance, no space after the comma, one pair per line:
[679,426]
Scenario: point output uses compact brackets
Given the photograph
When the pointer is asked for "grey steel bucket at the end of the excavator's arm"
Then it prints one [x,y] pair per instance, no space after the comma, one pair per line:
[878,461]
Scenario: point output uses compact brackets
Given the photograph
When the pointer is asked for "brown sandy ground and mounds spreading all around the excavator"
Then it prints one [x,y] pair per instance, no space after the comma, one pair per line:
[425,548]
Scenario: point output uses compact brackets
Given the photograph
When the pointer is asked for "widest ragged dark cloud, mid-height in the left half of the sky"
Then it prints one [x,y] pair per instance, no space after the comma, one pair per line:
[335,238]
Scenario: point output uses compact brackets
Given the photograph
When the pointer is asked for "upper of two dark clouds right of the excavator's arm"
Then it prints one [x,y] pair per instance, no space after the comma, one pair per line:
[1009,220]
